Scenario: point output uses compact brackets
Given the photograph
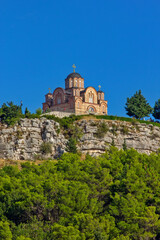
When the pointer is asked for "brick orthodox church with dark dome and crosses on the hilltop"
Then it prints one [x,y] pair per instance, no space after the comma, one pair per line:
[75,98]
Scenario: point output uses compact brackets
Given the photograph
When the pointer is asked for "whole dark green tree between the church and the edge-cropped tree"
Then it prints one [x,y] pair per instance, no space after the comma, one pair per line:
[137,106]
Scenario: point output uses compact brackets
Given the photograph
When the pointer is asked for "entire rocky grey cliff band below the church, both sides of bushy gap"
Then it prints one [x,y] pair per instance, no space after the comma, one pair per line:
[23,141]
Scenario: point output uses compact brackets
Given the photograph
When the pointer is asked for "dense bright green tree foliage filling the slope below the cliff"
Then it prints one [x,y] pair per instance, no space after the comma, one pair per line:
[116,196]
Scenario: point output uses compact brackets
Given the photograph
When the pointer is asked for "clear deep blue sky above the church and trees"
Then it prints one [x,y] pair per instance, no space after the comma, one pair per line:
[114,43]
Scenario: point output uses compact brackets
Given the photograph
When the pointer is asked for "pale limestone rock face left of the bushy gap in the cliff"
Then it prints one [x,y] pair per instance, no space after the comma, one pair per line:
[23,141]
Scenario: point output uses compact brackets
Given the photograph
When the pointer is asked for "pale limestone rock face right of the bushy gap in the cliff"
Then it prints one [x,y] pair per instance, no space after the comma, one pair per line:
[140,136]
